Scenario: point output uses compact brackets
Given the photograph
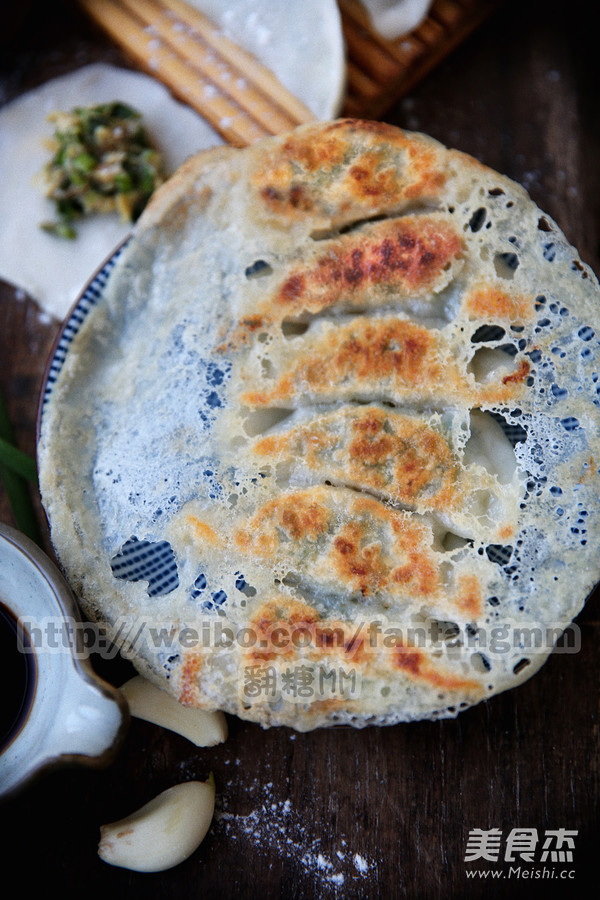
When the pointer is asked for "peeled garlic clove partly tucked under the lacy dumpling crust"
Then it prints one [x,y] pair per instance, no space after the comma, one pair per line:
[203,728]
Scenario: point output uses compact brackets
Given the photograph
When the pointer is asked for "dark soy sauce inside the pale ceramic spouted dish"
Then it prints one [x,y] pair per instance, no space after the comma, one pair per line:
[17,675]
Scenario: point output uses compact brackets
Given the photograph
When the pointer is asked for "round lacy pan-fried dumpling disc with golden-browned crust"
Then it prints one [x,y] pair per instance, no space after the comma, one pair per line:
[325,448]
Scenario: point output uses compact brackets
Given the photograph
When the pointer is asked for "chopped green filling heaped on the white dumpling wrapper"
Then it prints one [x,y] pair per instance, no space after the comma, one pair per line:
[103,162]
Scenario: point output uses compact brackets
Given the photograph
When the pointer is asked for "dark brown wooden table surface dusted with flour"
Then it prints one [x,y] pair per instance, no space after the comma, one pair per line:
[382,812]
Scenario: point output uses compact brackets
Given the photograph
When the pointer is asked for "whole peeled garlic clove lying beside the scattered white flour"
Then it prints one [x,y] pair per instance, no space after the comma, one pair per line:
[164,832]
